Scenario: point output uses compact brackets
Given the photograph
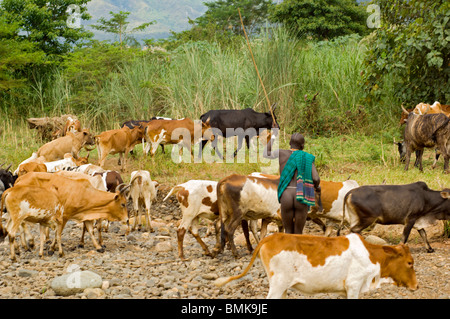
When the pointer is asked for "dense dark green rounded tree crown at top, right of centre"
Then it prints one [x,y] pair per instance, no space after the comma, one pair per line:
[321,19]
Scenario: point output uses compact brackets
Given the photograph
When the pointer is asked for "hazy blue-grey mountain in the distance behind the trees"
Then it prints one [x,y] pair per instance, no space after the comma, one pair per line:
[170,15]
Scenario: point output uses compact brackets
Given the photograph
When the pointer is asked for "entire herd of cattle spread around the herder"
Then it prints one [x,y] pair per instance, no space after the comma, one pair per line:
[56,185]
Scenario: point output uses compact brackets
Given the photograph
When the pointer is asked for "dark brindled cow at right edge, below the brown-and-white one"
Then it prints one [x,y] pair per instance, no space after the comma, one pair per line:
[428,130]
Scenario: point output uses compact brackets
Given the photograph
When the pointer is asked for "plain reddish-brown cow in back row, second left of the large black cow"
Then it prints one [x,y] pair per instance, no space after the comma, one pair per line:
[120,141]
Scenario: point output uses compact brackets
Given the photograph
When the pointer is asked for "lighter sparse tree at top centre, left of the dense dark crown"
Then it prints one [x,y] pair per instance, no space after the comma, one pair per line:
[224,13]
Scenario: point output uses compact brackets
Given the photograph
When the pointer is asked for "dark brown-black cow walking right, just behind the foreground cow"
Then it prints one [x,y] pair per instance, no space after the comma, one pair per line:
[412,205]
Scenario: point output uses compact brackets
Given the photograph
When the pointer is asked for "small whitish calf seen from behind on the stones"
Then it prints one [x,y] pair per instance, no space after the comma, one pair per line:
[142,193]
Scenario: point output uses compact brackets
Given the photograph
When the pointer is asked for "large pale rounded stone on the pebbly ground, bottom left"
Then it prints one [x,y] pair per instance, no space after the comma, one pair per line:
[75,282]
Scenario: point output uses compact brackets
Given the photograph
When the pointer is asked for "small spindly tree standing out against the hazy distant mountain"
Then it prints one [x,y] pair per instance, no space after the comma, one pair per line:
[118,24]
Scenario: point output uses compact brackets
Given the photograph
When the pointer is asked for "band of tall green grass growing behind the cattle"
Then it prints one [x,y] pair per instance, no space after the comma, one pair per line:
[200,76]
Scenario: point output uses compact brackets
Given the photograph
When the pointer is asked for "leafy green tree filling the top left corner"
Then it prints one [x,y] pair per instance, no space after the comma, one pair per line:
[44,23]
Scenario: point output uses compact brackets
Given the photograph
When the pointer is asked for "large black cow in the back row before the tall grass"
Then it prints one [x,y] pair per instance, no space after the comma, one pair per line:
[241,123]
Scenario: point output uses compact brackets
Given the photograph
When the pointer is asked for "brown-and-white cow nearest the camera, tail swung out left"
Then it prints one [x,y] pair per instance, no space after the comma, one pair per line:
[345,265]
